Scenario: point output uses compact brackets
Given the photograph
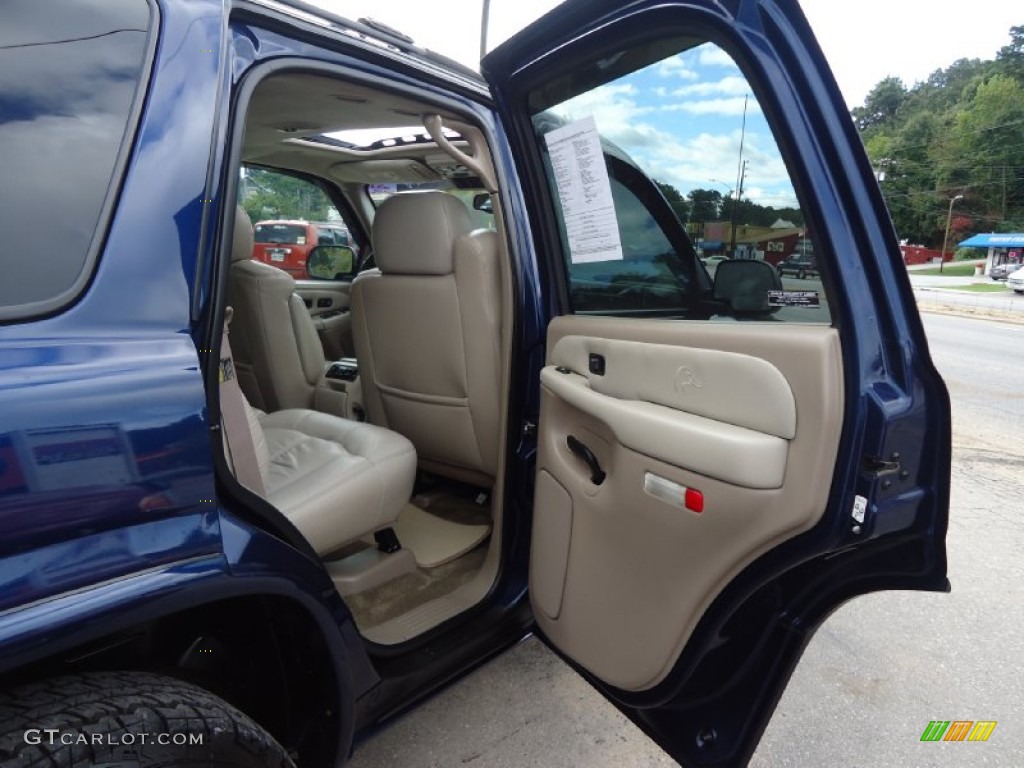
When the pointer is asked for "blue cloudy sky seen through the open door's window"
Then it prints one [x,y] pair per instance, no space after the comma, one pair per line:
[680,119]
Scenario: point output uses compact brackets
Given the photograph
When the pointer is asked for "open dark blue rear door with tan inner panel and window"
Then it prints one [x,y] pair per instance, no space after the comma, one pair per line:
[726,455]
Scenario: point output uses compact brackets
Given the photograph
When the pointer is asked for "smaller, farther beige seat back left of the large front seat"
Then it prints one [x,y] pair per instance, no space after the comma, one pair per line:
[278,354]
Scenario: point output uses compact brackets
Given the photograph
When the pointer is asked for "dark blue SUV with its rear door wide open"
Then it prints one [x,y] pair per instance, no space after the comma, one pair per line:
[218,533]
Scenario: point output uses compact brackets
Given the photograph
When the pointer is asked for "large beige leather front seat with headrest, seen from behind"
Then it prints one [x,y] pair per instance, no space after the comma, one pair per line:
[426,327]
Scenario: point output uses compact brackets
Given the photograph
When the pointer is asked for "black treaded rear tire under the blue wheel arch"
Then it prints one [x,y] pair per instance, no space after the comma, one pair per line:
[98,719]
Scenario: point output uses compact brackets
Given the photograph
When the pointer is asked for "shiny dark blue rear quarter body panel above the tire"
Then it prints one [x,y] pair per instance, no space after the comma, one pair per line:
[109,513]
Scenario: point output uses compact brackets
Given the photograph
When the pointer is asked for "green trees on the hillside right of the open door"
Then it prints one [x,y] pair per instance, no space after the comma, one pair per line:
[960,133]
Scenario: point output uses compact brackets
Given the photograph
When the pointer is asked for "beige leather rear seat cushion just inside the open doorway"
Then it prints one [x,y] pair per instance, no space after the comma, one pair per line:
[336,480]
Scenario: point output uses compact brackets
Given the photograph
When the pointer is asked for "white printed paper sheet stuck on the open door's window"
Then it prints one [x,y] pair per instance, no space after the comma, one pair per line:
[585,193]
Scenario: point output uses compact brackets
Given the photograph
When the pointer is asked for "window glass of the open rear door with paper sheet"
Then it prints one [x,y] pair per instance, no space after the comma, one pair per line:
[671,194]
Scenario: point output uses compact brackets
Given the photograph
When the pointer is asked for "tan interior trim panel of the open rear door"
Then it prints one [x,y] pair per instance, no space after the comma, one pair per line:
[749,415]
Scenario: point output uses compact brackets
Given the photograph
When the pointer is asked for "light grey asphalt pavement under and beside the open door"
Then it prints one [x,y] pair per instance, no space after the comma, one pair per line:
[878,671]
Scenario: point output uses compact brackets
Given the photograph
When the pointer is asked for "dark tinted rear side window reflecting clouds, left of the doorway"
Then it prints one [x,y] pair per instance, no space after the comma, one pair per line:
[68,81]
